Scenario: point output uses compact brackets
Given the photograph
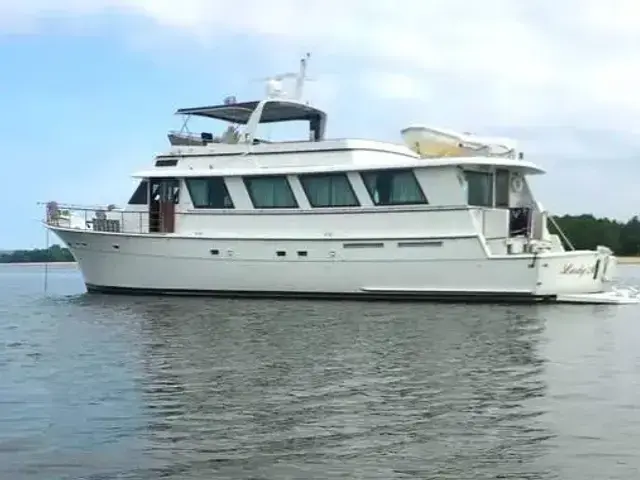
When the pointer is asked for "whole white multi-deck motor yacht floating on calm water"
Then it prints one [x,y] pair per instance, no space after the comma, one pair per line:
[442,216]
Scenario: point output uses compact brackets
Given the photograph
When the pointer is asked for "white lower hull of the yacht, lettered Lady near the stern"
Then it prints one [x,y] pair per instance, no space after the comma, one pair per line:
[372,268]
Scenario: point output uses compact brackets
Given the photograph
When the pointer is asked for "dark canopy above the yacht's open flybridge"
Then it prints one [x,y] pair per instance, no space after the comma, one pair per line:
[274,111]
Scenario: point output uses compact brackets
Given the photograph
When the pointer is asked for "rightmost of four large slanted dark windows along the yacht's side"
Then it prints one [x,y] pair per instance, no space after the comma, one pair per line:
[393,187]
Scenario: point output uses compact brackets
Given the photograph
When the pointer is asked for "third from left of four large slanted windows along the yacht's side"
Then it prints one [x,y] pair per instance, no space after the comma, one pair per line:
[329,190]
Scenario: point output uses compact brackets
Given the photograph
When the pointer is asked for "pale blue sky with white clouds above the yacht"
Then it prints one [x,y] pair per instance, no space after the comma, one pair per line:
[88,88]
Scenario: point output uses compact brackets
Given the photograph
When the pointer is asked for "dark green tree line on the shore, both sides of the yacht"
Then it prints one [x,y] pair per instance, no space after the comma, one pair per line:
[583,231]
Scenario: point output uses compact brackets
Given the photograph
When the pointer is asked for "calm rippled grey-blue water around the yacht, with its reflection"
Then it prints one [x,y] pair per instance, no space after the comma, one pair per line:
[99,387]
